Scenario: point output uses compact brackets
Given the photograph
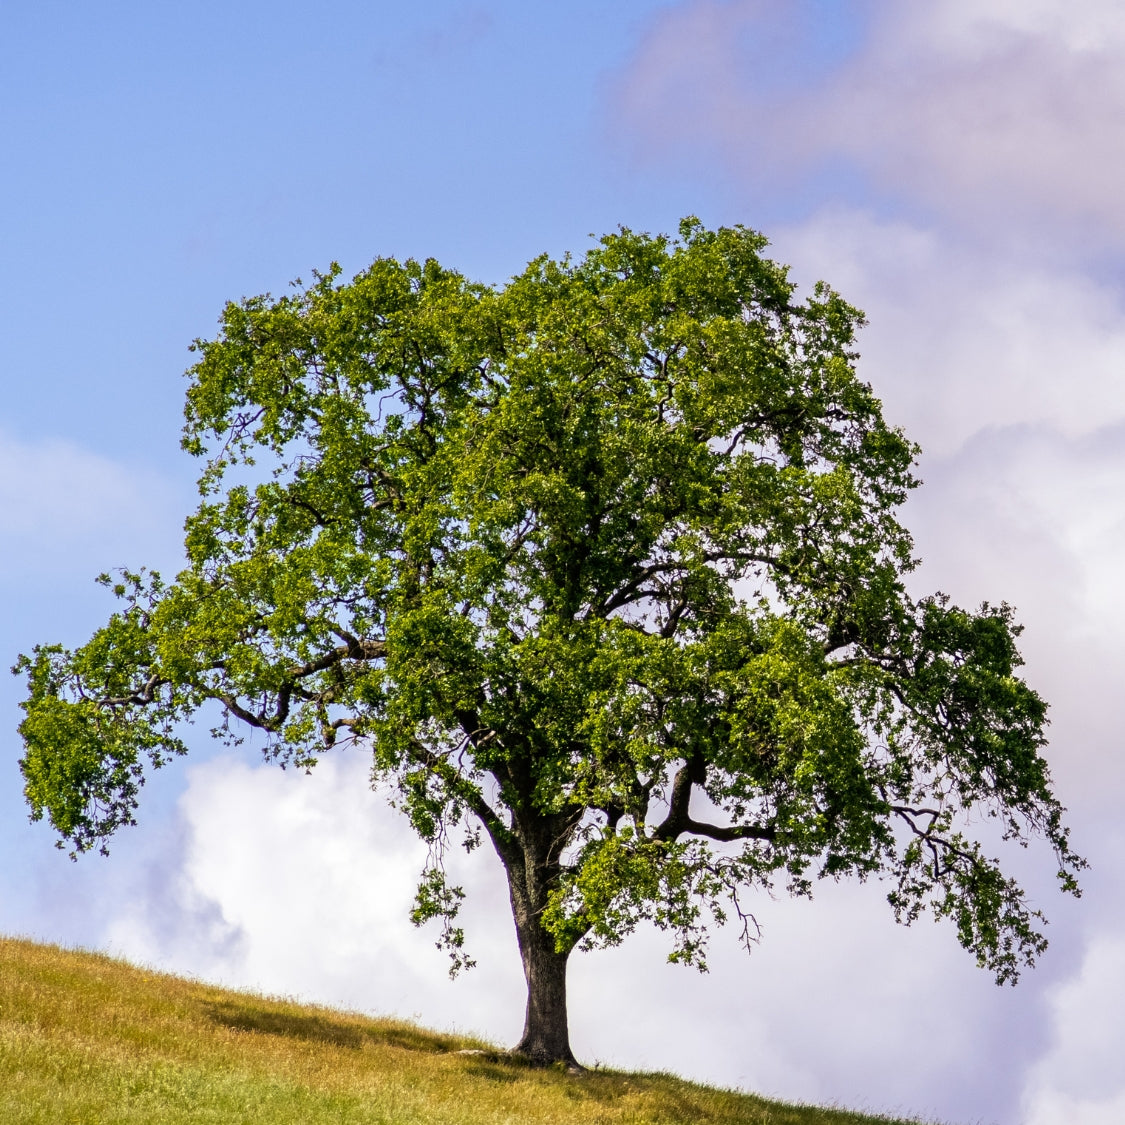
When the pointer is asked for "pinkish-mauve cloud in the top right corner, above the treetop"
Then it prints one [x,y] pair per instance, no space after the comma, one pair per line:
[989,111]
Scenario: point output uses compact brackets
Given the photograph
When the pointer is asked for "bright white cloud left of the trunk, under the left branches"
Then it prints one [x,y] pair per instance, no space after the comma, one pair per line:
[303,885]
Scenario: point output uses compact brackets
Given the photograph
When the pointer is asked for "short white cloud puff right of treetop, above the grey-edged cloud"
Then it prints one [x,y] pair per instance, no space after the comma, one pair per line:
[960,340]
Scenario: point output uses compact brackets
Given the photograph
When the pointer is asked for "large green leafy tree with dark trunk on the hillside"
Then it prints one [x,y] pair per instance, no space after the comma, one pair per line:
[604,566]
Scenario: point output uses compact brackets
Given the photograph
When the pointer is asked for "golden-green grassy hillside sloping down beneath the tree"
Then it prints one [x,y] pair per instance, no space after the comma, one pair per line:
[92,1041]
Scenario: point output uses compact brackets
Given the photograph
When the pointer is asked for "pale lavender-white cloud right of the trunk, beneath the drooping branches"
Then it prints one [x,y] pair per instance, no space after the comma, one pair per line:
[836,1005]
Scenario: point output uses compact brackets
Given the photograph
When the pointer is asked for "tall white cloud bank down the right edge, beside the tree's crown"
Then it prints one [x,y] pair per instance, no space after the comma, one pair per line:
[1012,376]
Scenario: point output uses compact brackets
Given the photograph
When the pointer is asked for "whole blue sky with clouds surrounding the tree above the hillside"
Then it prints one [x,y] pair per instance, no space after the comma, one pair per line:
[953,168]
